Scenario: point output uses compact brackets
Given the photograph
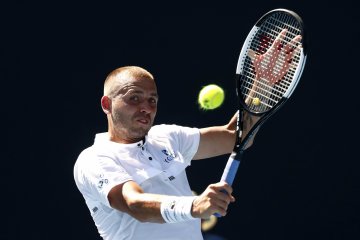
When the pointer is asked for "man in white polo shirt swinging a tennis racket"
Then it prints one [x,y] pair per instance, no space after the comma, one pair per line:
[133,177]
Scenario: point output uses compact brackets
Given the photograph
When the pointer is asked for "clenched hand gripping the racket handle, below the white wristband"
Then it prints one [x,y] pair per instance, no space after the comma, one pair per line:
[215,199]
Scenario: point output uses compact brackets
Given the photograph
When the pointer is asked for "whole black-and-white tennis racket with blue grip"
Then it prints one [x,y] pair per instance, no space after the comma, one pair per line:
[269,68]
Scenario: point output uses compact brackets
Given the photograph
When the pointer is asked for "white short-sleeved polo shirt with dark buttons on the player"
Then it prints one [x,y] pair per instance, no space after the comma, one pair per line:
[156,164]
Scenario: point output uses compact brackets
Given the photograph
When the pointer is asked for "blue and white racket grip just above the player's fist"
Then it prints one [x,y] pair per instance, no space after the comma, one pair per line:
[230,170]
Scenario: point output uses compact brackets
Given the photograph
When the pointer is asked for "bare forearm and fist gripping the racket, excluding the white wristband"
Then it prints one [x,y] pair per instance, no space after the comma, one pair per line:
[130,198]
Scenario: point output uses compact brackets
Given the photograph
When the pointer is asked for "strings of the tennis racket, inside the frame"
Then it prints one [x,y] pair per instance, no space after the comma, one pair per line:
[253,88]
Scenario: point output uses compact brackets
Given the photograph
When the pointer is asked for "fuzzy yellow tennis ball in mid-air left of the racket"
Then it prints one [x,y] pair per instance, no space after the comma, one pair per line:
[211,97]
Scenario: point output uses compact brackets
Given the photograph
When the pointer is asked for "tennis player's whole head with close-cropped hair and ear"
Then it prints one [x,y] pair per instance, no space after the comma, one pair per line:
[130,102]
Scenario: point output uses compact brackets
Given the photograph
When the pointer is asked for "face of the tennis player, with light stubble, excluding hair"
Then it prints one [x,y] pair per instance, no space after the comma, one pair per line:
[133,109]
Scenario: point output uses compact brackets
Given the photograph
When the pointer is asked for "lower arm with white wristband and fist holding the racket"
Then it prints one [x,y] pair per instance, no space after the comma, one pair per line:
[156,208]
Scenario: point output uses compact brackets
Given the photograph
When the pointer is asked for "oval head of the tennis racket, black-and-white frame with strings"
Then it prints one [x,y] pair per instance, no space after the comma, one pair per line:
[266,33]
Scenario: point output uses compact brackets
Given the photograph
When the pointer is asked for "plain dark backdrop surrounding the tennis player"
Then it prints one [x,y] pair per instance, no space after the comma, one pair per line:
[299,181]
